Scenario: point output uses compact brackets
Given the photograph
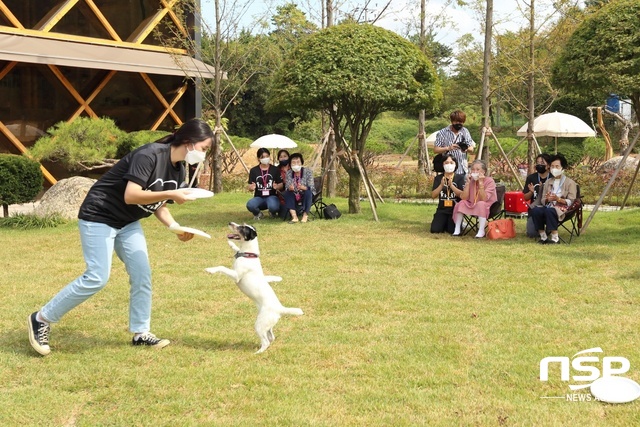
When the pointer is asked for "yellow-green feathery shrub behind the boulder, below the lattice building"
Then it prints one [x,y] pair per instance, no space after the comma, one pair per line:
[81,144]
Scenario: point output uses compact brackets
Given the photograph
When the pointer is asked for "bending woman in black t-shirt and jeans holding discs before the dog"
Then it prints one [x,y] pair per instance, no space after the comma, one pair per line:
[139,185]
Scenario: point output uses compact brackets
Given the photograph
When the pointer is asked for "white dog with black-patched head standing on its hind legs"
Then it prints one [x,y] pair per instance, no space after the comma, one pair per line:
[248,275]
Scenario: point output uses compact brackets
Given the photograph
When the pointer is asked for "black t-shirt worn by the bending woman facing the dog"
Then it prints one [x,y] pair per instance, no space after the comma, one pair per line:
[150,167]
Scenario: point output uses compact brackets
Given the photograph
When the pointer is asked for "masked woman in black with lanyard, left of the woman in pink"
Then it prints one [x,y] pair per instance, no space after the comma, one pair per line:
[448,188]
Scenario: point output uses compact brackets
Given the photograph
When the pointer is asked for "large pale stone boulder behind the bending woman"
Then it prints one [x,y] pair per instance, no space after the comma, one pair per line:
[65,197]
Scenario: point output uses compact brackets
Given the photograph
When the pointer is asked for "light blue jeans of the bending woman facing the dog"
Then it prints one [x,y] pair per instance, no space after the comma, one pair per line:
[98,243]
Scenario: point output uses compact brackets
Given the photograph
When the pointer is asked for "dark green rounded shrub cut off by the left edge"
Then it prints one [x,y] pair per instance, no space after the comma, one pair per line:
[20,179]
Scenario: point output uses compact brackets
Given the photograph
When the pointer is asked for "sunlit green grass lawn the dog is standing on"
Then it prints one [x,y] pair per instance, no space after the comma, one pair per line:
[400,328]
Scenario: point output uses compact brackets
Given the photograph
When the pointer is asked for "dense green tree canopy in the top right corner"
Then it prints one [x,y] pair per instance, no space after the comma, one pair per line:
[603,55]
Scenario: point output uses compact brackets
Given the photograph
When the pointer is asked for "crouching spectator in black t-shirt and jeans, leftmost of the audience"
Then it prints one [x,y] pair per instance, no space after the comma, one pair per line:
[264,180]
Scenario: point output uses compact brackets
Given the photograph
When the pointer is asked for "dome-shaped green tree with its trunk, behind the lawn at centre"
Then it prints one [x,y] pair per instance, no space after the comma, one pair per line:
[355,72]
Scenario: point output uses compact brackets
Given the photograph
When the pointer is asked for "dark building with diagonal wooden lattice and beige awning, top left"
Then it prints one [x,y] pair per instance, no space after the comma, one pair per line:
[62,59]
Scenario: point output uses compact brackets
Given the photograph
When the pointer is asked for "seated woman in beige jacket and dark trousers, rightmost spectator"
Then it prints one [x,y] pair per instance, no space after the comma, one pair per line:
[558,195]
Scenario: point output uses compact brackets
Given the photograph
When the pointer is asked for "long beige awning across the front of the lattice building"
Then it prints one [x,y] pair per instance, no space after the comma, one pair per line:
[35,50]
